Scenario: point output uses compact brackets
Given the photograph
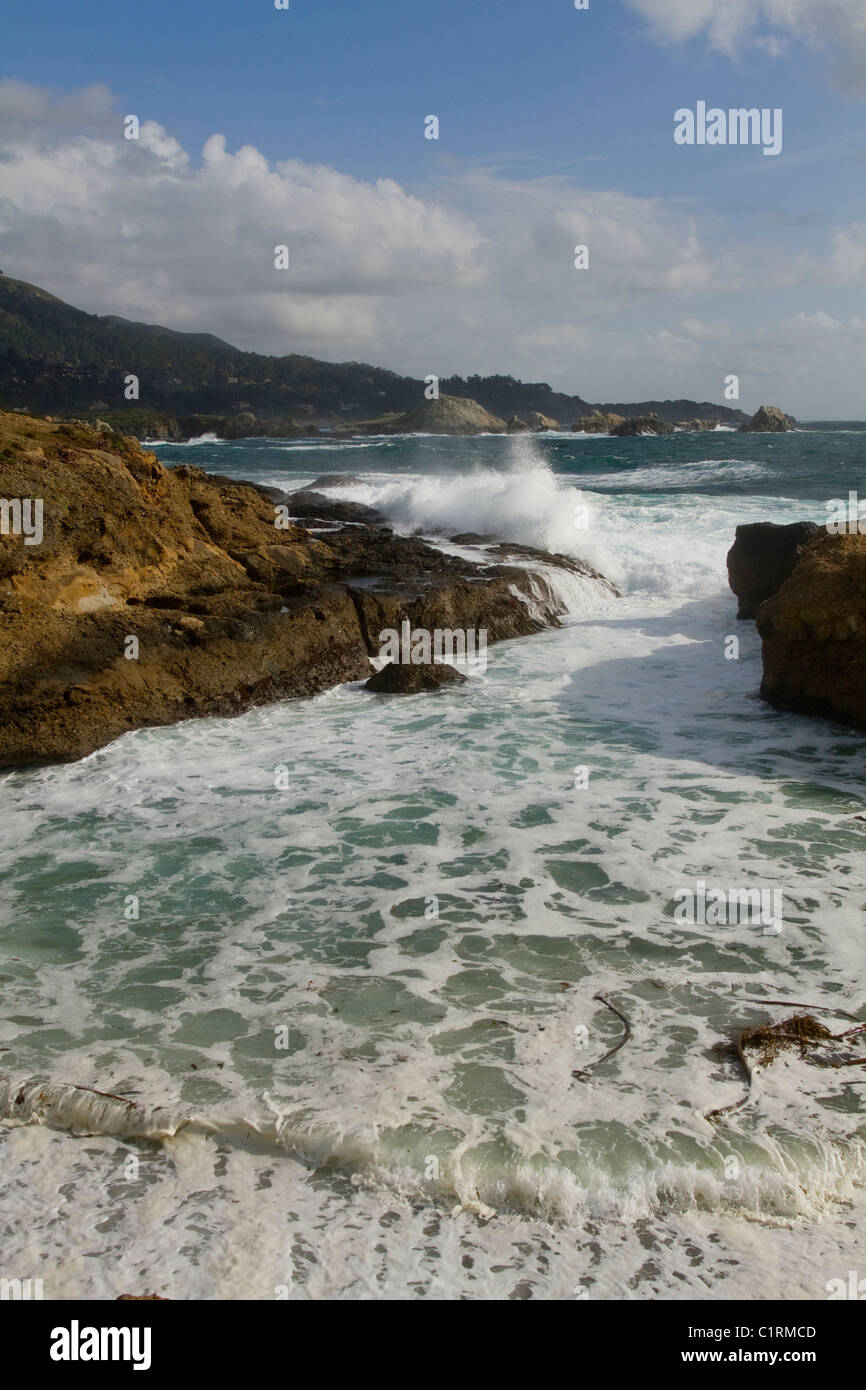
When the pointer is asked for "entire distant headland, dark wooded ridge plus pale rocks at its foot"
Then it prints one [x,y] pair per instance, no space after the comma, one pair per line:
[152,382]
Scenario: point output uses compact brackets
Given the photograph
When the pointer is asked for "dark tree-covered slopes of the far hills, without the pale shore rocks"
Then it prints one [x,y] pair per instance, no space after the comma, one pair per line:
[60,361]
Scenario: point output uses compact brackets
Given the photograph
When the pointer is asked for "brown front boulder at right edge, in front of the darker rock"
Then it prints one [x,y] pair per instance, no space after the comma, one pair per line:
[814,633]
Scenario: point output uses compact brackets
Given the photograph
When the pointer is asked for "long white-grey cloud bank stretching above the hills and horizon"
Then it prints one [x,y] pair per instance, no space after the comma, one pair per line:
[476,277]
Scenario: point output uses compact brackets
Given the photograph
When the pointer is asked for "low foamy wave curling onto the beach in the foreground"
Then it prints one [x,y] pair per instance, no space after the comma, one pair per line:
[785,1185]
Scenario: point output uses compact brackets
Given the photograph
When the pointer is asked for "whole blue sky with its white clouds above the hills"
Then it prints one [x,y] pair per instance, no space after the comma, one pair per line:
[307,129]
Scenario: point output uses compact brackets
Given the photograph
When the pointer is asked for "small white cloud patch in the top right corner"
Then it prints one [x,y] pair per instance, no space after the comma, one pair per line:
[838,26]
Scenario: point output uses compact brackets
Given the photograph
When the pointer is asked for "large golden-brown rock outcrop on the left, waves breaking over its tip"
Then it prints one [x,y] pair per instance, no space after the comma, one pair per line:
[162,594]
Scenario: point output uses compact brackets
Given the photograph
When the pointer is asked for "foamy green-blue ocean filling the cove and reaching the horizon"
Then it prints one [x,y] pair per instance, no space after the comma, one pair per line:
[350,1008]
